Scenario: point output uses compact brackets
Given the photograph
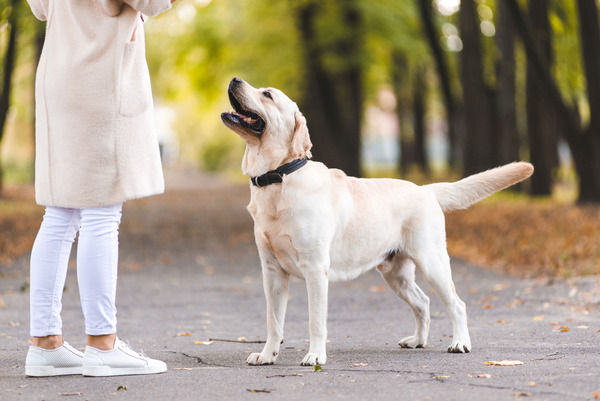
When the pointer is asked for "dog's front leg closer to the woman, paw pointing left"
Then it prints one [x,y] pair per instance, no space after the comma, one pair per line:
[275,284]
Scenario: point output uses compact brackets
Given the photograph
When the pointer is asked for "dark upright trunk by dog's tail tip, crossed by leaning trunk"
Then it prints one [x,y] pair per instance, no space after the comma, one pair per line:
[541,122]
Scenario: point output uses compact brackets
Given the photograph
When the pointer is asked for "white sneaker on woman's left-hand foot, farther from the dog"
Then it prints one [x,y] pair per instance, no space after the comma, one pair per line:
[64,360]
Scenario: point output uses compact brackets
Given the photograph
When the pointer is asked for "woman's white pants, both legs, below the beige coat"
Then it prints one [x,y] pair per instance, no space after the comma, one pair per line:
[97,259]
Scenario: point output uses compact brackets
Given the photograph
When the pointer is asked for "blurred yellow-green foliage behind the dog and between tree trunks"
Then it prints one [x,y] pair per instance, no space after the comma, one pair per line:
[196,48]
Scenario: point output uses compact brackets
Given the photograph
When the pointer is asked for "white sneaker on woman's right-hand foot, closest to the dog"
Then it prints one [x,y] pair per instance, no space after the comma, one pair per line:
[121,360]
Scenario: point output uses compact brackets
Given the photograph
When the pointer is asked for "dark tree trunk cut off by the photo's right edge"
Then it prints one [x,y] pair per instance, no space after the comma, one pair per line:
[589,183]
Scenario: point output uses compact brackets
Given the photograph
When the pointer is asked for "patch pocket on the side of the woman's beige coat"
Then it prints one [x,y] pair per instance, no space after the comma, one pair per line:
[135,90]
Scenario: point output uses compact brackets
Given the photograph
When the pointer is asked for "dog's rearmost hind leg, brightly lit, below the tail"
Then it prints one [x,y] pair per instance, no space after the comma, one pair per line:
[435,266]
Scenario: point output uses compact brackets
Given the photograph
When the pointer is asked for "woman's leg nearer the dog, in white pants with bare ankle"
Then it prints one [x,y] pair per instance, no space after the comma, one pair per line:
[97,260]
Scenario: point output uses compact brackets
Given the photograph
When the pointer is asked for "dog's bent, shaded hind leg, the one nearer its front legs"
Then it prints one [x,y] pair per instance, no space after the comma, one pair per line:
[399,274]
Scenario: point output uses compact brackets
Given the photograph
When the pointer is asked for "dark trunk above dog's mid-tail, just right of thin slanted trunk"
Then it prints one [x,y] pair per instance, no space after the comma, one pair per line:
[479,151]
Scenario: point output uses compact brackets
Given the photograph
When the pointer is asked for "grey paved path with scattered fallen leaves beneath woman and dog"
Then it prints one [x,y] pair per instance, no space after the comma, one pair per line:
[189,265]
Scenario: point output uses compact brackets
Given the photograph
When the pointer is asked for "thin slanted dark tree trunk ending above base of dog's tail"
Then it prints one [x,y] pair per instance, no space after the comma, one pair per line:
[452,110]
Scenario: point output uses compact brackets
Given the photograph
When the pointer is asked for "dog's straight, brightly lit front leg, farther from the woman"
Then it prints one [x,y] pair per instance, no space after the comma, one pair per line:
[317,286]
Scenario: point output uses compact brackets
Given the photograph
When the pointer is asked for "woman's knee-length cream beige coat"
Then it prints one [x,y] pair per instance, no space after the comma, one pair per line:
[95,135]
